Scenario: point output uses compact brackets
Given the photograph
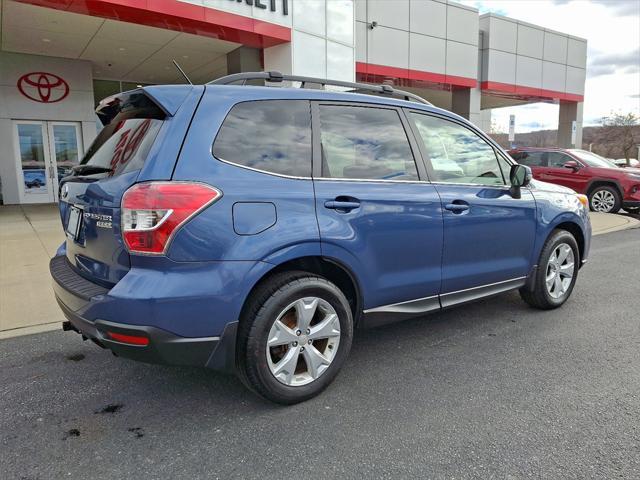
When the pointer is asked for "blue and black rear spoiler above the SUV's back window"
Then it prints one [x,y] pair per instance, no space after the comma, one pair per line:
[165,98]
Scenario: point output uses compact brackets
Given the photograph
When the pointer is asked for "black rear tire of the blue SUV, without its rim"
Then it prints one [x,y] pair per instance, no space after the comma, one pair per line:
[261,311]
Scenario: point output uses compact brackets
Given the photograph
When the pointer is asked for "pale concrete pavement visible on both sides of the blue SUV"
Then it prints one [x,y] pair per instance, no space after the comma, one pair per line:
[29,237]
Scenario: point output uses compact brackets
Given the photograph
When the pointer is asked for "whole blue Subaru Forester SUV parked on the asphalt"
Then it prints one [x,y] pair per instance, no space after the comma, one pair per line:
[251,228]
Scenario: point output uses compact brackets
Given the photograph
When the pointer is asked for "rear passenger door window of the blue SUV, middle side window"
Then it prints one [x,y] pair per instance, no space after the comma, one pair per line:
[364,143]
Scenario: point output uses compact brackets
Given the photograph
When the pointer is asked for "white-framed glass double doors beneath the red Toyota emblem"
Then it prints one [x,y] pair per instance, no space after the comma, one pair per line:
[46,152]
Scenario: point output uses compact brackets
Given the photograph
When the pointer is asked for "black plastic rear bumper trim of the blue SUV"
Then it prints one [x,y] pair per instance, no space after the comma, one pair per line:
[75,294]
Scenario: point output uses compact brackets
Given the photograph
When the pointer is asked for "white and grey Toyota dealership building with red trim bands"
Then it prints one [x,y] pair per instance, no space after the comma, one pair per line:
[58,58]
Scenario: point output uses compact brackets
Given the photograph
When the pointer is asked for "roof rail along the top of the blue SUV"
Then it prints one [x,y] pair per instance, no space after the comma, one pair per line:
[277,77]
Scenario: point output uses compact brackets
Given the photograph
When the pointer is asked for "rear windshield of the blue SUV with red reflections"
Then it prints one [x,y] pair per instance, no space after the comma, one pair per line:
[132,123]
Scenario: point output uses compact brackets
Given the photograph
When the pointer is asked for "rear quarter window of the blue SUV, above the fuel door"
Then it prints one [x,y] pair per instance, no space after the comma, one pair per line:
[269,135]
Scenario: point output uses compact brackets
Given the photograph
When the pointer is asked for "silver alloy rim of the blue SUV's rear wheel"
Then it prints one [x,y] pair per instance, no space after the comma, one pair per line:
[303,341]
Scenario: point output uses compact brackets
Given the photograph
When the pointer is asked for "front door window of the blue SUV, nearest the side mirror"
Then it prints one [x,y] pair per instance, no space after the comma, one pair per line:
[457,154]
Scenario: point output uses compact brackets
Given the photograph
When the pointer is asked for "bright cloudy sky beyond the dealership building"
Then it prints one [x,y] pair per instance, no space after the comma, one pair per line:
[612,30]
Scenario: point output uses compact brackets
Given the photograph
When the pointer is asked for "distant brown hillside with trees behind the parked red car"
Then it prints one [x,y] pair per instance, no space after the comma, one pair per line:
[605,140]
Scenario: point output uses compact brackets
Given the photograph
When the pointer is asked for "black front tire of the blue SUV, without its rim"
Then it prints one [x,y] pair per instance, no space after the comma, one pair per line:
[539,297]
